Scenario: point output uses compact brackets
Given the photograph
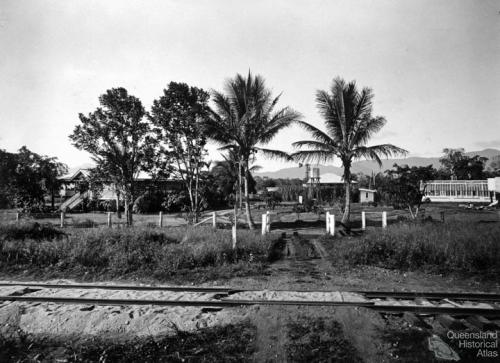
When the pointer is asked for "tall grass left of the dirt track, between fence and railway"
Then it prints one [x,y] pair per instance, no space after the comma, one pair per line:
[151,252]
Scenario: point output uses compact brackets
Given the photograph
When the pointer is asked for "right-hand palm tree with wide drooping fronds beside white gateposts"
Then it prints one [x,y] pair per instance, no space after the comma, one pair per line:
[349,125]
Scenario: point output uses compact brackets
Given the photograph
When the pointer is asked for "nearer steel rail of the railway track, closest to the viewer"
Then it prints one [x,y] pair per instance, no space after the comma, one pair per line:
[419,309]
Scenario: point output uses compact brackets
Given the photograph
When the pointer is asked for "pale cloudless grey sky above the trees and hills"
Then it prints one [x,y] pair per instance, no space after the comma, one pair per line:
[434,66]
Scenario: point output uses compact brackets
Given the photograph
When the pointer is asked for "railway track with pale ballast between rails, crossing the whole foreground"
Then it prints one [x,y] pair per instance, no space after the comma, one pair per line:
[423,303]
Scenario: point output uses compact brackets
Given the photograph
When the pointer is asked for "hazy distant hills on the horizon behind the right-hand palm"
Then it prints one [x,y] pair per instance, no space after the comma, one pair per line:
[367,166]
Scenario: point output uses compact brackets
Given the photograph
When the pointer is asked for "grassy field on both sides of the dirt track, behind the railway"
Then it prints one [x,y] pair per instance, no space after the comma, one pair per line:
[466,242]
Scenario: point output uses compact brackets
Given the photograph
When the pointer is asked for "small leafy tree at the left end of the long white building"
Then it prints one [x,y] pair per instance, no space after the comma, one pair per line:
[406,186]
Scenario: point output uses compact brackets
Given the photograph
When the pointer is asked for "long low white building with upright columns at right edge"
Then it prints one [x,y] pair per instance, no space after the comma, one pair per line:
[469,191]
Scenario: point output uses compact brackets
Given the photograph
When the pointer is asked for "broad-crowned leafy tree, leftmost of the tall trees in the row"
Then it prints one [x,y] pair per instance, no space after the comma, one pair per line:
[118,139]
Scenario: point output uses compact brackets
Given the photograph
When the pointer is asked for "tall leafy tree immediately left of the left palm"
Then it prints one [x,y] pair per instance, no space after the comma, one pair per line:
[178,118]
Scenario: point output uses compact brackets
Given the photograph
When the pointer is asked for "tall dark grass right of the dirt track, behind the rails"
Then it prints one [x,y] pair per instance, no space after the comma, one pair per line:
[454,246]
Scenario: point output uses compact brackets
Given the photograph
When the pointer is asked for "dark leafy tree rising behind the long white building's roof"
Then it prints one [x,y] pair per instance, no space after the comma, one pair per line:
[460,166]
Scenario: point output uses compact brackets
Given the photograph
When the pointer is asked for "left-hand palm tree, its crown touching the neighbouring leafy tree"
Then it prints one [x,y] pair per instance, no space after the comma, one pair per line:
[244,119]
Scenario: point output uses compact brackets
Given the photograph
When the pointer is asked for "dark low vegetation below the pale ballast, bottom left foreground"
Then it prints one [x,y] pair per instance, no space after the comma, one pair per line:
[235,343]
